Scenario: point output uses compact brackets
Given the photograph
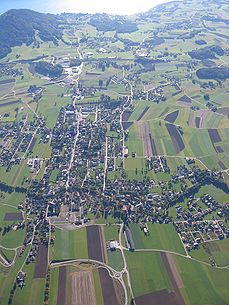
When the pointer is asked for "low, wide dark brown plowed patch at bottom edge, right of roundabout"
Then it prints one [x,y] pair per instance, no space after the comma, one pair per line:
[162,297]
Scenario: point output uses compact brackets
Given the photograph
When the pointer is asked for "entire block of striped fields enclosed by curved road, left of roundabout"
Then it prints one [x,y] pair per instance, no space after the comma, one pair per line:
[82,284]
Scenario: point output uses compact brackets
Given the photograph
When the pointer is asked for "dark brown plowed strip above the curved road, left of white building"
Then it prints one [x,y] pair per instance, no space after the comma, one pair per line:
[95,244]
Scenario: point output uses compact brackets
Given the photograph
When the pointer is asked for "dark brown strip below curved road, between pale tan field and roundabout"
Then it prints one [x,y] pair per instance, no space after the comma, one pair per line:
[108,290]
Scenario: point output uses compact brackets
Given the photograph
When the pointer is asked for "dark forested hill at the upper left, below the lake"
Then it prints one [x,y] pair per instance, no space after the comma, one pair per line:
[19,26]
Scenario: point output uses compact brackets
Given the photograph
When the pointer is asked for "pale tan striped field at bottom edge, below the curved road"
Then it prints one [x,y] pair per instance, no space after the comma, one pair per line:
[83,292]
